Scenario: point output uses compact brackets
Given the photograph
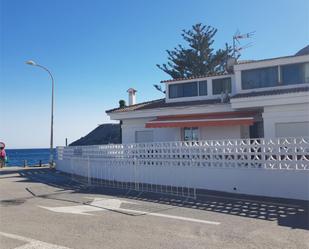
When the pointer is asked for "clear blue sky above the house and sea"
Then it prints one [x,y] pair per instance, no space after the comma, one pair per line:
[97,49]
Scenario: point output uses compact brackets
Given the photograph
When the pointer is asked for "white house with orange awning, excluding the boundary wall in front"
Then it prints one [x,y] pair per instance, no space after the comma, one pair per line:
[265,98]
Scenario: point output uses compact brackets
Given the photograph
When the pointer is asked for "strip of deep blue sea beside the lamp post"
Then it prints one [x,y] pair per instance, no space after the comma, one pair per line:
[18,157]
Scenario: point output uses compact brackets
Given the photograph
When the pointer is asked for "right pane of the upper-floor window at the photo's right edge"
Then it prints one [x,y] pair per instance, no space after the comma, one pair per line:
[295,74]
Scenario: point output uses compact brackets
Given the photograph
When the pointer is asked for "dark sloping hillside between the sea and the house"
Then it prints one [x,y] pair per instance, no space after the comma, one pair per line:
[103,134]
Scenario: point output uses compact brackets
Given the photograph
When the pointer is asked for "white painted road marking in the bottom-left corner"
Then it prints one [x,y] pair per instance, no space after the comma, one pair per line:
[32,243]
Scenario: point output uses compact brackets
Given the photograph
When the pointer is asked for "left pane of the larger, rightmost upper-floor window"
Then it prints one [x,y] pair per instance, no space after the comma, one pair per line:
[259,78]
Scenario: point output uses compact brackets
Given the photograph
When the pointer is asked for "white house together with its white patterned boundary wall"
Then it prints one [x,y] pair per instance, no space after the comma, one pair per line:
[266,98]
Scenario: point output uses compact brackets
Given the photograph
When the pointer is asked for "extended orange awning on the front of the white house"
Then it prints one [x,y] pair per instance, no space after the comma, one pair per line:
[198,120]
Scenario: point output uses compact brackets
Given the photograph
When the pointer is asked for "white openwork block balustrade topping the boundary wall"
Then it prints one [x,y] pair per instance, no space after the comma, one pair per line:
[277,153]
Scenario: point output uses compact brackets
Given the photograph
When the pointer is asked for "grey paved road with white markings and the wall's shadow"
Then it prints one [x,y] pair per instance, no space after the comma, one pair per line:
[42,208]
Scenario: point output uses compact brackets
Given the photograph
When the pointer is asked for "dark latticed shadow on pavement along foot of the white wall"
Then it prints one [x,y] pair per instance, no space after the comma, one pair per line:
[286,212]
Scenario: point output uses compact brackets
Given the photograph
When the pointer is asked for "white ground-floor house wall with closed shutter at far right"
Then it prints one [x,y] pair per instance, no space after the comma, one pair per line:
[290,115]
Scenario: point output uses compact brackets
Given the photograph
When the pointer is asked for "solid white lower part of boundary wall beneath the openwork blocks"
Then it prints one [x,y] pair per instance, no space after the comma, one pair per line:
[264,182]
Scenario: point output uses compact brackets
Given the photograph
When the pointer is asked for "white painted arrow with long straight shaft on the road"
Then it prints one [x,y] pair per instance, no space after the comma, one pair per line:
[99,204]
